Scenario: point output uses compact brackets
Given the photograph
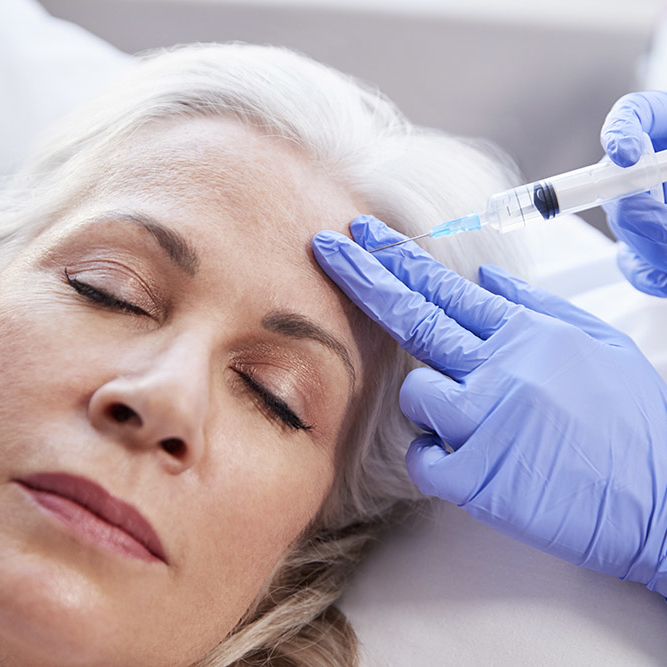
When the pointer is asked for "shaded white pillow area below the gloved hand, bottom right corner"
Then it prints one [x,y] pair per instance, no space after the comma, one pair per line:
[450,591]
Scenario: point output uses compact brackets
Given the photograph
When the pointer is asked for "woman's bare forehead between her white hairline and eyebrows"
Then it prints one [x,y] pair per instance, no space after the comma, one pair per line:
[259,190]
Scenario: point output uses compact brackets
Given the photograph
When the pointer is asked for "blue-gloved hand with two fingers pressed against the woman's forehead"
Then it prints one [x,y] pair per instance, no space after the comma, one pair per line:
[558,424]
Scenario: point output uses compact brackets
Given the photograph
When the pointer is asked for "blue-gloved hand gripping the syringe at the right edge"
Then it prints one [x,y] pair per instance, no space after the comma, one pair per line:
[639,222]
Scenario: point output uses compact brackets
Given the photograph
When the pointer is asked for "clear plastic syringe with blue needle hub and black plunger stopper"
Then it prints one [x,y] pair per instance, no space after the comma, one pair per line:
[570,192]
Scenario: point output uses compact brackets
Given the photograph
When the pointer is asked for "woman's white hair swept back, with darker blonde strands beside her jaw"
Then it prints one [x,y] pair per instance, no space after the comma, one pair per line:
[411,177]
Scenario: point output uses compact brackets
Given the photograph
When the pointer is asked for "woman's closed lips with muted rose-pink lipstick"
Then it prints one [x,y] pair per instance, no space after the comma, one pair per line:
[89,509]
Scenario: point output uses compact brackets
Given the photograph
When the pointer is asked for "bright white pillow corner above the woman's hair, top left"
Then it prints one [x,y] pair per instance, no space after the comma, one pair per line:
[47,67]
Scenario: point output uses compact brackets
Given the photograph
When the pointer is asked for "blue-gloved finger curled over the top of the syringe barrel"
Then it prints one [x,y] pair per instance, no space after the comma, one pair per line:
[632,115]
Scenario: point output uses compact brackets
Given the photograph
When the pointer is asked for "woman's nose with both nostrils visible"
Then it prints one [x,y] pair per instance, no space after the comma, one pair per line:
[161,407]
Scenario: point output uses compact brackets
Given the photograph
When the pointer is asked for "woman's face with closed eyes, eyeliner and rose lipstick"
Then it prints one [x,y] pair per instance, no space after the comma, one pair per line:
[177,375]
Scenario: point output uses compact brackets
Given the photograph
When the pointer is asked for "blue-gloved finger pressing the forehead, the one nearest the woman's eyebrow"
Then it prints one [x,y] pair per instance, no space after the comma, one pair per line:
[420,327]
